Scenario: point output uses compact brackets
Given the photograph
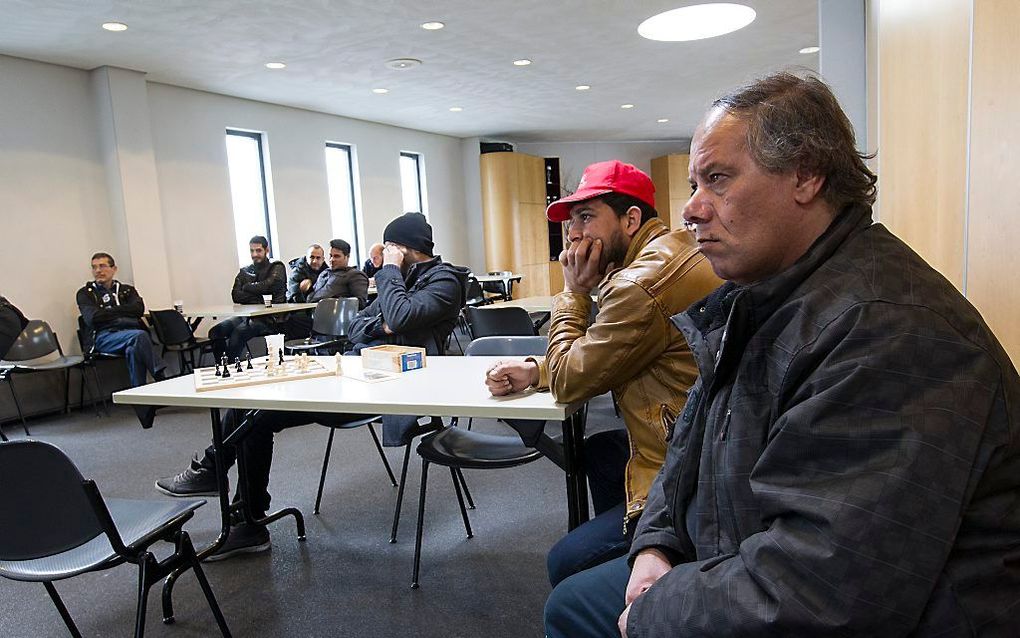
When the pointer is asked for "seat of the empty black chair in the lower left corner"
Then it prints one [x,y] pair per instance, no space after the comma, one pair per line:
[136,520]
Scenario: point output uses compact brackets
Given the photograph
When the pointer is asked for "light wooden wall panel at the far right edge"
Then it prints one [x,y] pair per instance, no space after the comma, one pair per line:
[994,235]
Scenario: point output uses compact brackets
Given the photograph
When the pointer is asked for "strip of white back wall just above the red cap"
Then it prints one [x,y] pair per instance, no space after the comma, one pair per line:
[576,156]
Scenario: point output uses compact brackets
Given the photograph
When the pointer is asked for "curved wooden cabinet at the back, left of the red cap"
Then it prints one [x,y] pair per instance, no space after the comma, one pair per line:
[514,215]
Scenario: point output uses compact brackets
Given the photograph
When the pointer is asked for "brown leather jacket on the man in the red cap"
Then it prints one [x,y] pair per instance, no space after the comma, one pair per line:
[632,349]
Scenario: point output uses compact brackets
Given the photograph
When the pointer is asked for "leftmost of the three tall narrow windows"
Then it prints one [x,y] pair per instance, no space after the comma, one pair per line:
[249,191]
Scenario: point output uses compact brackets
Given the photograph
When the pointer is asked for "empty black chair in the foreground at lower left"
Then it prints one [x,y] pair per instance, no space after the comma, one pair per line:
[56,525]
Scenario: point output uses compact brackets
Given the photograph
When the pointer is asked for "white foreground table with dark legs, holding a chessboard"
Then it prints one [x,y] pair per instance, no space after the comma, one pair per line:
[448,386]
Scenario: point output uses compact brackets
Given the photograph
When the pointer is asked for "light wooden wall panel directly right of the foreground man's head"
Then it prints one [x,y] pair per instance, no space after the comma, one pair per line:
[924,51]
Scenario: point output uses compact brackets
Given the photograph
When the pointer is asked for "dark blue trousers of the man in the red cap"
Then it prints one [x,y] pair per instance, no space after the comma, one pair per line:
[602,538]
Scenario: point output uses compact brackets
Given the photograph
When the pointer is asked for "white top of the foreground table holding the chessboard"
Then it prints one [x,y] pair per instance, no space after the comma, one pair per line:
[448,386]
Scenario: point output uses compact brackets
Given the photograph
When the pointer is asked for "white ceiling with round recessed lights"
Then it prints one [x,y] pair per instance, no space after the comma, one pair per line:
[335,53]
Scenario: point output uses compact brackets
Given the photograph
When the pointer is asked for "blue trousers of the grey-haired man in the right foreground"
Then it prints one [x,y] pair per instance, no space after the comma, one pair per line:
[589,605]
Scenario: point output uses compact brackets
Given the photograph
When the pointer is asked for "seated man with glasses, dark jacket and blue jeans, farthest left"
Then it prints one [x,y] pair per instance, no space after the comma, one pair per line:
[113,311]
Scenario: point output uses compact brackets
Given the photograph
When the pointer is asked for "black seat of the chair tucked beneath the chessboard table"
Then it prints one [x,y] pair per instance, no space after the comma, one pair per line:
[456,448]
